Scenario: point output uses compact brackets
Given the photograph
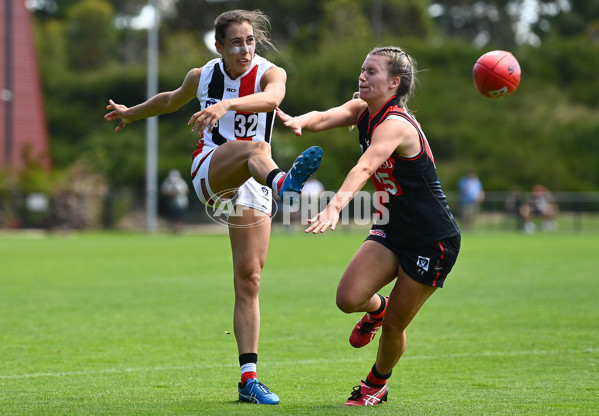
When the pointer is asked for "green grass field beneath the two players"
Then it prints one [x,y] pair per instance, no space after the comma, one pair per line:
[135,324]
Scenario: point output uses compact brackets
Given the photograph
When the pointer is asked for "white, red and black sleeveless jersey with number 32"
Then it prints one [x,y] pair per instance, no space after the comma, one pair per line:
[215,85]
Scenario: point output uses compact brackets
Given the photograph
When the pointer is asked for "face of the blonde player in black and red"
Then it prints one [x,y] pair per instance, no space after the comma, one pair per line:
[374,81]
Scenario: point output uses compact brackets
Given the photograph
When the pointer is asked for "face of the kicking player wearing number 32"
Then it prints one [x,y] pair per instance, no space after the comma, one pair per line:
[238,48]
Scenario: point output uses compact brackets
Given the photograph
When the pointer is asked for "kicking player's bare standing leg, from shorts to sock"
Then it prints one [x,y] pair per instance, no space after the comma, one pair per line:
[250,247]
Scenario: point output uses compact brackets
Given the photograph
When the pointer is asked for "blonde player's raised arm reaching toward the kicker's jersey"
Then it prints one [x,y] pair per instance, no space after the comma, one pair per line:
[344,115]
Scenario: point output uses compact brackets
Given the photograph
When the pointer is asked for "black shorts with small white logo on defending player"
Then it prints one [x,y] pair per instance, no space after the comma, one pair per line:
[428,264]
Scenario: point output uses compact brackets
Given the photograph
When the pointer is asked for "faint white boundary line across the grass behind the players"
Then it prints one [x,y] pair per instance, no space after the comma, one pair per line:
[292,363]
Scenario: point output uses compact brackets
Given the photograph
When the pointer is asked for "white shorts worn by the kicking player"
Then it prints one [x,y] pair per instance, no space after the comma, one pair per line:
[250,194]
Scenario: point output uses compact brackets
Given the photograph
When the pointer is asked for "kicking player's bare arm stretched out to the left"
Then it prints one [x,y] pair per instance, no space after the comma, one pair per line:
[162,103]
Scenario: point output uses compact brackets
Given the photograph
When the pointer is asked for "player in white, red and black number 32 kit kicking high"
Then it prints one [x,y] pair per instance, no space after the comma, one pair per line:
[238,93]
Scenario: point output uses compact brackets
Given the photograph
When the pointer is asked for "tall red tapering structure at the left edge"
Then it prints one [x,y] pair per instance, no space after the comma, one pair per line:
[23,130]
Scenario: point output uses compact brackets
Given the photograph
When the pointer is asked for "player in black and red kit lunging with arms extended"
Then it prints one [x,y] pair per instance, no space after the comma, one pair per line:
[415,241]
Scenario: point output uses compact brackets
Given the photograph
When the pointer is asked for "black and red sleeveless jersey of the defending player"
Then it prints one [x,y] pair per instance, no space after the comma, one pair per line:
[417,208]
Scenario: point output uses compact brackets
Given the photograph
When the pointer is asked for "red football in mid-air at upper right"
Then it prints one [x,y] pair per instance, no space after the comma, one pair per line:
[496,74]
